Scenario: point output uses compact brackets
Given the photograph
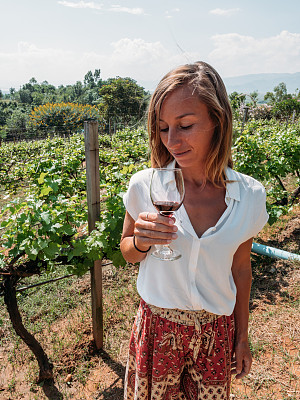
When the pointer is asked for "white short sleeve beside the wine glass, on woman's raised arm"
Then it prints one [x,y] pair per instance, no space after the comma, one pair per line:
[137,197]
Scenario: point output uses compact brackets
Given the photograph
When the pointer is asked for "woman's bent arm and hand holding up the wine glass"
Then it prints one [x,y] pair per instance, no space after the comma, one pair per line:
[148,229]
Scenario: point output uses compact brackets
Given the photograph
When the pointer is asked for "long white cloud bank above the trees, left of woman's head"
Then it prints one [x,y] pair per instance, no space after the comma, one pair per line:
[146,62]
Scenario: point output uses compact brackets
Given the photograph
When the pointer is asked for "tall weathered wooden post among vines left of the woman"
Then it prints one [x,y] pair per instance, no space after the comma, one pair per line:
[93,199]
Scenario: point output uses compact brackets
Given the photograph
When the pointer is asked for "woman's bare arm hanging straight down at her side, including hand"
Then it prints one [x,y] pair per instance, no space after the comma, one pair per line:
[242,275]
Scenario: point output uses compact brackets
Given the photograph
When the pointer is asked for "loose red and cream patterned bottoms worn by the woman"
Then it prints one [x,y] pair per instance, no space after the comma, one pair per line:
[179,355]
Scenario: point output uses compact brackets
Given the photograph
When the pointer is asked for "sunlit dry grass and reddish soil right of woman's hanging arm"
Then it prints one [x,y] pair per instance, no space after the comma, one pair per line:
[275,336]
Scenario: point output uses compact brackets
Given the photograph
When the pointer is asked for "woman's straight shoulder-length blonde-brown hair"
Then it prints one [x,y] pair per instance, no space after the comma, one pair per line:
[208,85]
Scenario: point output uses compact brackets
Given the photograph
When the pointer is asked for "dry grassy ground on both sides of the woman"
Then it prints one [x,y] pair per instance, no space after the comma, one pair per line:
[83,373]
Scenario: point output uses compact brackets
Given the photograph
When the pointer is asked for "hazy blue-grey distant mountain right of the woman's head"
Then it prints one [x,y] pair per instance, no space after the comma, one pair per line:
[263,83]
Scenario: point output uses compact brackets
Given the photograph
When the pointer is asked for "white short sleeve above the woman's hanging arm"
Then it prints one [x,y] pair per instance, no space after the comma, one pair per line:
[259,213]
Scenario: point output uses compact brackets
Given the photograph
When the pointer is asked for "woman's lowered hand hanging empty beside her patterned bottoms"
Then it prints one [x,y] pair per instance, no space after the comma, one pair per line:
[242,360]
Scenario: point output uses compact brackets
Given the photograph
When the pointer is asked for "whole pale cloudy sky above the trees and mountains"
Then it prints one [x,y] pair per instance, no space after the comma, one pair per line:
[59,41]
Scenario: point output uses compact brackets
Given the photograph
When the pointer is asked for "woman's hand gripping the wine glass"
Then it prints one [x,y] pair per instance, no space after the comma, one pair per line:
[153,228]
